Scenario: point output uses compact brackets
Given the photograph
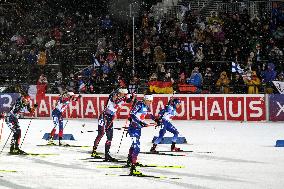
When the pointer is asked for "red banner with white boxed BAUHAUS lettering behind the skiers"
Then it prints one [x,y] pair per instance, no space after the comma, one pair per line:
[193,107]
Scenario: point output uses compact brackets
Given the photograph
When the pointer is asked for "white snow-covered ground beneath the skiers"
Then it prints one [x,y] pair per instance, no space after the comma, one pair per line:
[243,157]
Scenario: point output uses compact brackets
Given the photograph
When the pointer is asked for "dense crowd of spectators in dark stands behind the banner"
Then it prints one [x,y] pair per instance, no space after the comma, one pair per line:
[191,50]
